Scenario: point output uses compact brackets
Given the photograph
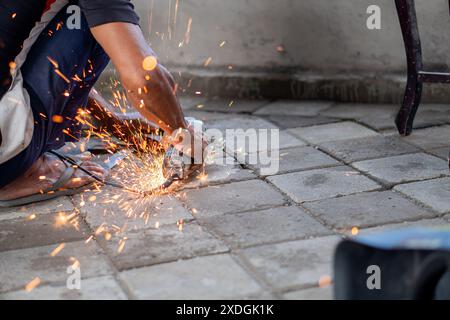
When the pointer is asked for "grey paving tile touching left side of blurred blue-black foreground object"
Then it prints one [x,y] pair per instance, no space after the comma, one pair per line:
[295,263]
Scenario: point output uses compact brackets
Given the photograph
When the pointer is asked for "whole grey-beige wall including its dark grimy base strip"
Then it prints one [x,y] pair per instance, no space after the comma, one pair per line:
[321,40]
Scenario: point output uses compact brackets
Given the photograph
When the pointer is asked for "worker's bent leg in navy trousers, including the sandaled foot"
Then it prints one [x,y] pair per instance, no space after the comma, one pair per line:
[61,68]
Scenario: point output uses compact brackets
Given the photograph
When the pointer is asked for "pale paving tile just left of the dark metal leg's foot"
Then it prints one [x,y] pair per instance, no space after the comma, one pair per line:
[332,132]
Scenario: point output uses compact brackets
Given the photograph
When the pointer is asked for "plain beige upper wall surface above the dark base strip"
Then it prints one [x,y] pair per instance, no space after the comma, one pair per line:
[321,36]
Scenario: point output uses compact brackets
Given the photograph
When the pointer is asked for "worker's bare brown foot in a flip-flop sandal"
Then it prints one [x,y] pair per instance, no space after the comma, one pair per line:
[45,172]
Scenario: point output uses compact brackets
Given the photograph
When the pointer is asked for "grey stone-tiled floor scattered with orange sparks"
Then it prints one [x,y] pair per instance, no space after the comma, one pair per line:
[242,233]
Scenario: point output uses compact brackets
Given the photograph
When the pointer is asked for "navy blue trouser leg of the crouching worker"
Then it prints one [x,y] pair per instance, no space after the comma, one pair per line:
[77,53]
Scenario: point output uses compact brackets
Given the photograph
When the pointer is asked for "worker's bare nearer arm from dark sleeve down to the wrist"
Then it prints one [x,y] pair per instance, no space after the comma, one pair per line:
[152,93]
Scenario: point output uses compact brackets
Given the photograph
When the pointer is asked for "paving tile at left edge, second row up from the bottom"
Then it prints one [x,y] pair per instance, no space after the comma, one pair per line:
[19,267]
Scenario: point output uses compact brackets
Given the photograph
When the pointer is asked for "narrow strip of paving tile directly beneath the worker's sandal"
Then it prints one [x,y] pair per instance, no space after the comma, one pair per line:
[55,205]
